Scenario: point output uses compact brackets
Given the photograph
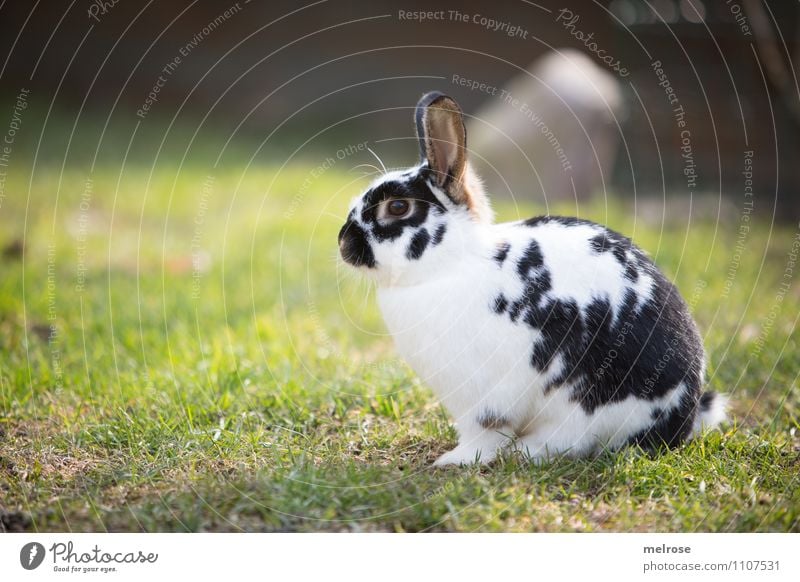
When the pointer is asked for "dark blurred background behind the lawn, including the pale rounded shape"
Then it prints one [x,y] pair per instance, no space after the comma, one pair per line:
[280,81]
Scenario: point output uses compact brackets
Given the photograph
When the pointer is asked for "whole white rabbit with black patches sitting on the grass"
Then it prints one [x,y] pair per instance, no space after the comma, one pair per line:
[551,336]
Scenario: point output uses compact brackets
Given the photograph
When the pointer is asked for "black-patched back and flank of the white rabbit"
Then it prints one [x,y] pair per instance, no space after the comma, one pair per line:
[605,315]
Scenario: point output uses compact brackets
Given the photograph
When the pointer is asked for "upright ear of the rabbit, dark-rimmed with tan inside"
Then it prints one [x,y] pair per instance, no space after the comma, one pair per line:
[443,142]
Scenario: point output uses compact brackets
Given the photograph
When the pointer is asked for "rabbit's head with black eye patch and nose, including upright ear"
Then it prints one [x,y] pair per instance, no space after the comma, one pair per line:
[409,223]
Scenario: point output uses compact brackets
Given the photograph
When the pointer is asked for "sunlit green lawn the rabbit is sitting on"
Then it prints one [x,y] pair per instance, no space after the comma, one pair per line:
[177,356]
